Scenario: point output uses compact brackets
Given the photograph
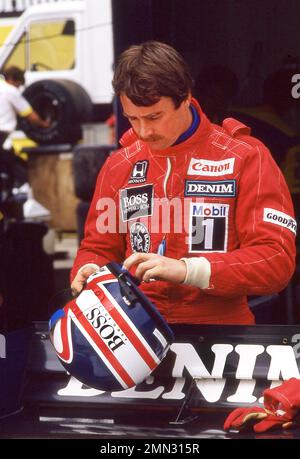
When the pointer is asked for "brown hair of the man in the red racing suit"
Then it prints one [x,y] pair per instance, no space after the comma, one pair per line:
[151,70]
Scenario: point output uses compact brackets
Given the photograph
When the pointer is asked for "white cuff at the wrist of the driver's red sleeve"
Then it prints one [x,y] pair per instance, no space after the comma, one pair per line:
[198,272]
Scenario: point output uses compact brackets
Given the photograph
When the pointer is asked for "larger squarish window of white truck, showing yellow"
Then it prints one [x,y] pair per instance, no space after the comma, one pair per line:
[51,45]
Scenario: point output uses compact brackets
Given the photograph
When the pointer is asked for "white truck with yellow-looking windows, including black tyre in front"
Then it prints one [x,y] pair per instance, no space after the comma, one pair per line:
[66,50]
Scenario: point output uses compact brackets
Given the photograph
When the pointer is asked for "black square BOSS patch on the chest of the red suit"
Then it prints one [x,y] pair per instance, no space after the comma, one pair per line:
[136,202]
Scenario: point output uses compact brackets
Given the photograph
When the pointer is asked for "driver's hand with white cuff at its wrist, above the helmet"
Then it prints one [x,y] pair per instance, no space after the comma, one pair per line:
[152,266]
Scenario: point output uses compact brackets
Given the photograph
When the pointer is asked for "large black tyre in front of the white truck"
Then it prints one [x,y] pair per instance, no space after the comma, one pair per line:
[65,103]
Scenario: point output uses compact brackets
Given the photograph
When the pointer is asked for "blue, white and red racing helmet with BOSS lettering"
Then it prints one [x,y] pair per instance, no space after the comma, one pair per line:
[111,337]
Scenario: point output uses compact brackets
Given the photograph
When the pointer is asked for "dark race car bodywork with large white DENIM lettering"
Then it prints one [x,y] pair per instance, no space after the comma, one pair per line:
[208,371]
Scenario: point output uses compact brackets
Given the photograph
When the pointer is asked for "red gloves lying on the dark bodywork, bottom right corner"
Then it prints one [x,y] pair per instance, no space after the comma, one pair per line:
[281,409]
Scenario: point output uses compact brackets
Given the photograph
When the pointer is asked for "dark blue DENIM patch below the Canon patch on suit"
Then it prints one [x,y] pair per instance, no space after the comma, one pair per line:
[224,188]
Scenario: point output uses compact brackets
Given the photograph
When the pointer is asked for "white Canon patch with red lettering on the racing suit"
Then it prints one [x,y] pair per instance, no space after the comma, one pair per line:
[209,168]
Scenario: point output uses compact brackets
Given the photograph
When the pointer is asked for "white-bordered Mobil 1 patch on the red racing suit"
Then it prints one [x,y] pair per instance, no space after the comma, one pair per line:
[208,230]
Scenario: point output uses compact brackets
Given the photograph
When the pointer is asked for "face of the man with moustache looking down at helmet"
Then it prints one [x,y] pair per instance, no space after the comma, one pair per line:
[160,124]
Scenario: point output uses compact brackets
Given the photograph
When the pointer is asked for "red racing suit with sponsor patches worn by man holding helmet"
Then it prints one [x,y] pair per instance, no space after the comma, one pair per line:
[215,203]
